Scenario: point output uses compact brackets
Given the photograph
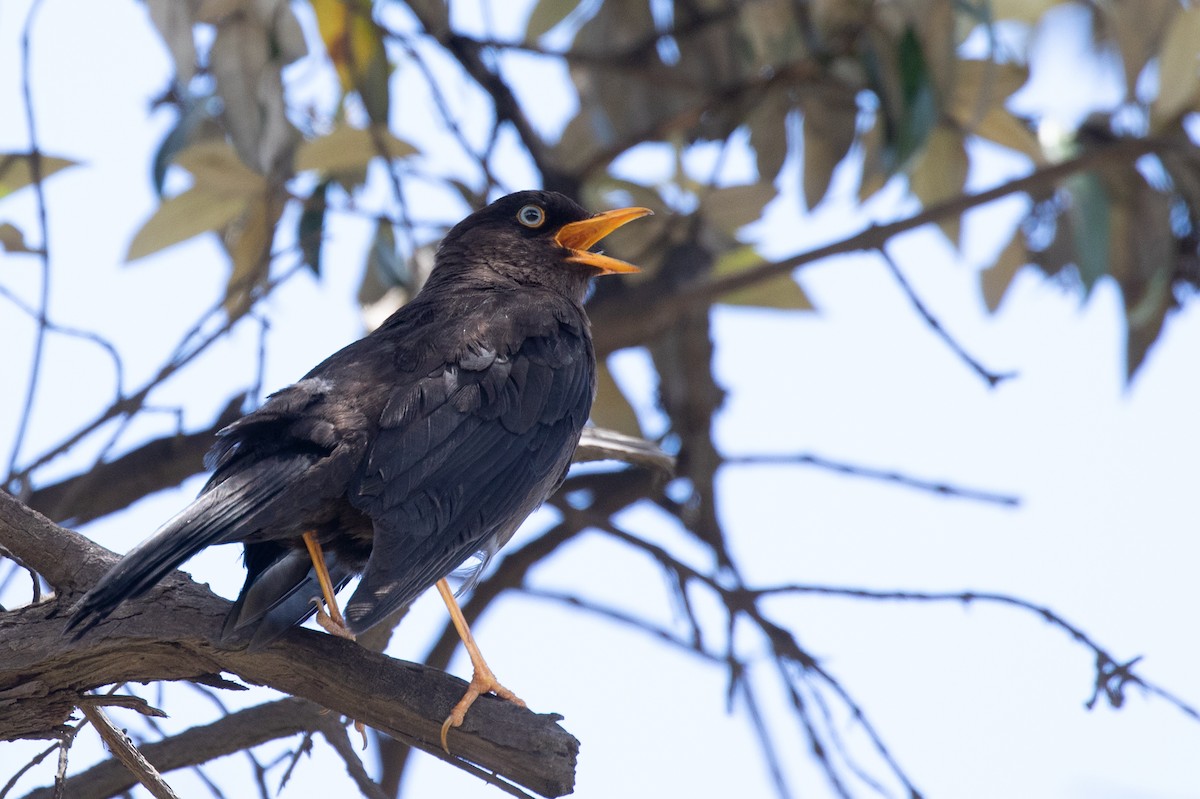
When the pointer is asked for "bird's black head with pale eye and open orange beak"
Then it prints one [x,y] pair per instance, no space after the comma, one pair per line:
[537,238]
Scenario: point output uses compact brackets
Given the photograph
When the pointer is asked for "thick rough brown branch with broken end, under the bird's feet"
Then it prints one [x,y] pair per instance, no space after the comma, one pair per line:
[175,633]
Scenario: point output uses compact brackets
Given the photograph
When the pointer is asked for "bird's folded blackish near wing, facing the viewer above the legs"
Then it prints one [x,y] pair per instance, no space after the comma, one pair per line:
[465,454]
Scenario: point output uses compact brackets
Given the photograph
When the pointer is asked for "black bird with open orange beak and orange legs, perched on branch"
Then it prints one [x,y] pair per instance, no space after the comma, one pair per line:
[410,452]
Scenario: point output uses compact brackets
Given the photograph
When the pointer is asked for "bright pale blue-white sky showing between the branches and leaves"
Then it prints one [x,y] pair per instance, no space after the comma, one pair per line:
[980,701]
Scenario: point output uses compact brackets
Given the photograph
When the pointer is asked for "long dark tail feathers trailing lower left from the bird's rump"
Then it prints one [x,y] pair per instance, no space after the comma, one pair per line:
[272,465]
